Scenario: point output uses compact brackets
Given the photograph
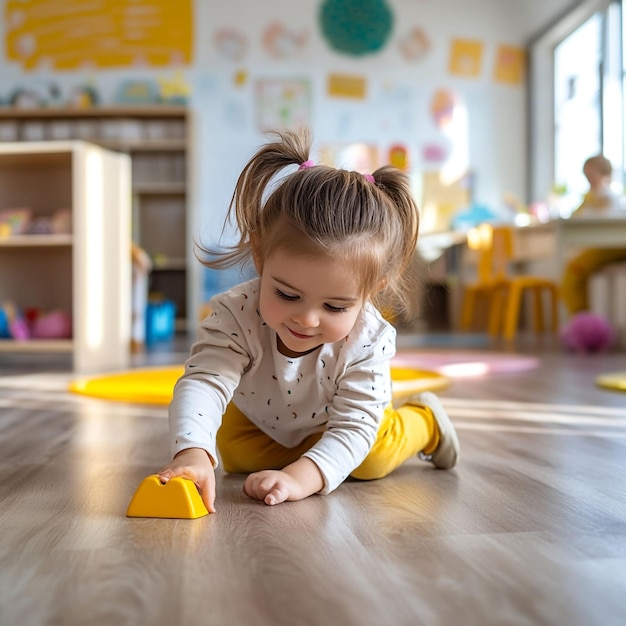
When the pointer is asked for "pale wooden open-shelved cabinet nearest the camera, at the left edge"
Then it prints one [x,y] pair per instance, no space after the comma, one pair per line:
[82,268]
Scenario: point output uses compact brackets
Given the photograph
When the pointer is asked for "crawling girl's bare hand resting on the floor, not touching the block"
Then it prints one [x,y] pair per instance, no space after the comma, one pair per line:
[295,482]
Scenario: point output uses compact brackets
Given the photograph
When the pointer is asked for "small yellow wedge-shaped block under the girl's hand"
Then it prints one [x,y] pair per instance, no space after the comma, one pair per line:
[177,499]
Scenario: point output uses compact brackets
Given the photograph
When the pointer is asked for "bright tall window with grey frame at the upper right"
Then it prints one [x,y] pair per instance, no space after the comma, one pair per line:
[577,87]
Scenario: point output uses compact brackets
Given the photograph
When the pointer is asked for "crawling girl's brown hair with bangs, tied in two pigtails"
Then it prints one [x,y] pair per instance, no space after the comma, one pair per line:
[367,222]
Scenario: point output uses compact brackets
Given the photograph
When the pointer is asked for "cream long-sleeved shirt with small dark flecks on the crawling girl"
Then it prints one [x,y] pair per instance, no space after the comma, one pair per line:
[339,389]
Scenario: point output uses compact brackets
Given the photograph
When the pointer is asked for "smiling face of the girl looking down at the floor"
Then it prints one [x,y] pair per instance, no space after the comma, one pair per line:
[308,301]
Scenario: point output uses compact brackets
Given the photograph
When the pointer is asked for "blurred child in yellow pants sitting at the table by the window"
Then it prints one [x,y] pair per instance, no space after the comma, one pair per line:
[599,201]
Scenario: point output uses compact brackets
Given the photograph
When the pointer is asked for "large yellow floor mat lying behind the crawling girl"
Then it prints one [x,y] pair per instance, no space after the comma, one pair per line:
[155,385]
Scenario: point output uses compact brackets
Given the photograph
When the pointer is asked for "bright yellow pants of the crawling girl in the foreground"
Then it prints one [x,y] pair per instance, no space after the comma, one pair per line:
[402,434]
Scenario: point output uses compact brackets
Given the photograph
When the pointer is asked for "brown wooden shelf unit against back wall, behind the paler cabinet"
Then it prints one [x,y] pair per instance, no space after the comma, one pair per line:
[155,138]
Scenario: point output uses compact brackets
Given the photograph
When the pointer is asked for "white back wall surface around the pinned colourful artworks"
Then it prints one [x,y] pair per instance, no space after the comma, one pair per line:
[399,91]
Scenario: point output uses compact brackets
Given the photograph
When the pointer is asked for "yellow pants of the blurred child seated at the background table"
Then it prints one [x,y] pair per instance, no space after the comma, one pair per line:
[574,289]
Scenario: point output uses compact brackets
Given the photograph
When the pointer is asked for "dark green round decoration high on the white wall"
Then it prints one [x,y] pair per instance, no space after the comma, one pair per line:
[356,27]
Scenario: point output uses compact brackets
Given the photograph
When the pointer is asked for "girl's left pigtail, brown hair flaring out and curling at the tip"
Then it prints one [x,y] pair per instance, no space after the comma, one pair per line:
[248,198]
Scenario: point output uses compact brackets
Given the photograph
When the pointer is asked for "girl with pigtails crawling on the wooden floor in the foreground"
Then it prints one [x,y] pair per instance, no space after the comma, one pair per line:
[289,380]
